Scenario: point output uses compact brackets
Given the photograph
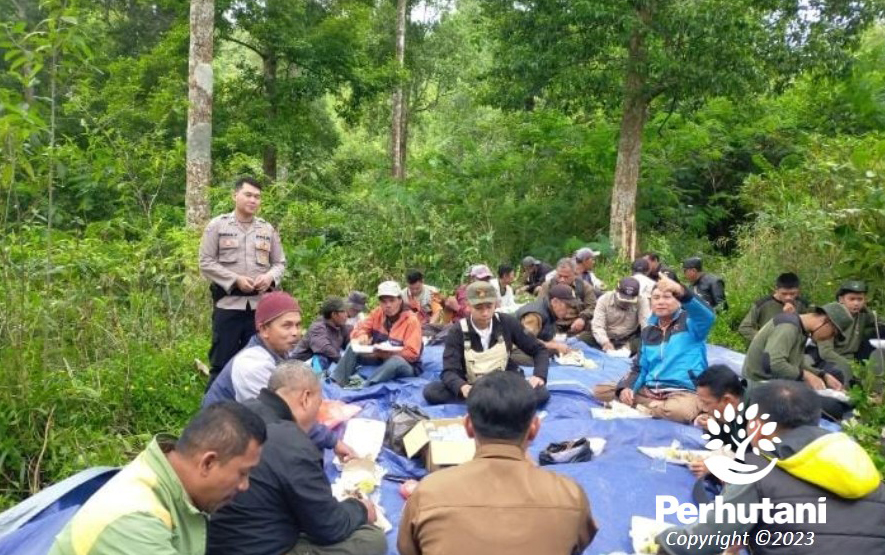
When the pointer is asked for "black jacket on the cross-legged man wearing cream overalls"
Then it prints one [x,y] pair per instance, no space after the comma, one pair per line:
[504,326]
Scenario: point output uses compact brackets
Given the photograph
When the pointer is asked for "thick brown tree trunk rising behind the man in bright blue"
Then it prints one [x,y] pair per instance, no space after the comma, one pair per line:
[622,225]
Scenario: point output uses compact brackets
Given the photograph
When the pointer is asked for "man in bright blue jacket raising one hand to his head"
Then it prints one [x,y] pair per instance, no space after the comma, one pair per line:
[672,356]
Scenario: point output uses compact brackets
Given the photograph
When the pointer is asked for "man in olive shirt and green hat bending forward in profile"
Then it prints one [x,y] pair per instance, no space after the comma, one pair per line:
[778,349]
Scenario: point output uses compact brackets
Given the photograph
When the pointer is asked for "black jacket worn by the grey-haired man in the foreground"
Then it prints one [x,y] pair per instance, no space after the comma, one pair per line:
[289,494]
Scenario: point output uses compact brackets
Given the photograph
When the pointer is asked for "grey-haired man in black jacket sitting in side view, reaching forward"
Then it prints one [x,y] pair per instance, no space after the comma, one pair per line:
[290,507]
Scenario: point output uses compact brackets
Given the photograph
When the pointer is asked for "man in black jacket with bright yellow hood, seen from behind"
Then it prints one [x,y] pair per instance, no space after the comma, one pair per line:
[813,463]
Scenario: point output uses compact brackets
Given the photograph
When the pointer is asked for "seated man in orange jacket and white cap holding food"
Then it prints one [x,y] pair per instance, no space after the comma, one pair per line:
[395,331]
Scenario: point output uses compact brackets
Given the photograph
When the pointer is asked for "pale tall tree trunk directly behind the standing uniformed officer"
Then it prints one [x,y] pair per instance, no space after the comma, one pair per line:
[199,113]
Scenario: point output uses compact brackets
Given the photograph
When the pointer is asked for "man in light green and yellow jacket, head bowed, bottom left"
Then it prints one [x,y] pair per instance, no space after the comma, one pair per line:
[159,502]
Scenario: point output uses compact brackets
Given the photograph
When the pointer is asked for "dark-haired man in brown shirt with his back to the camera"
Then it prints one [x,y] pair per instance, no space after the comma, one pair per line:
[500,502]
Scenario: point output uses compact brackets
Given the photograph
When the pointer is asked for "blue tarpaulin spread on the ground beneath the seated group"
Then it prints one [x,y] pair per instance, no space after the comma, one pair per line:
[620,483]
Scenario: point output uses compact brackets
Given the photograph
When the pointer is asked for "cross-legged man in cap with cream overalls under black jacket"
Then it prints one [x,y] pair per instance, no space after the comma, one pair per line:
[481,344]
